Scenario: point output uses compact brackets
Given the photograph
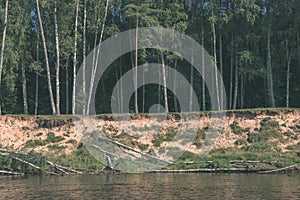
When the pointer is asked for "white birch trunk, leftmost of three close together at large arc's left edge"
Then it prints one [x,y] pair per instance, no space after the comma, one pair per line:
[75,60]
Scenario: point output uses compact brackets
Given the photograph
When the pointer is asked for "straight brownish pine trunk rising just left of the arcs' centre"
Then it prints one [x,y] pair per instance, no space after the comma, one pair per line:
[136,64]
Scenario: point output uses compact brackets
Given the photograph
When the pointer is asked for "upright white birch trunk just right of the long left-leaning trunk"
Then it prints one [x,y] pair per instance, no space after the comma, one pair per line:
[57,61]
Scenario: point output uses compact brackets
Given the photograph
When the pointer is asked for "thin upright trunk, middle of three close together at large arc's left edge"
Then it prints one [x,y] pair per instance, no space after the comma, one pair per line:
[84,59]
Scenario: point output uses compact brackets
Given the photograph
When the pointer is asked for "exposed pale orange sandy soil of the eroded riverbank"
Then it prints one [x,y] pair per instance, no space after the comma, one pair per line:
[18,133]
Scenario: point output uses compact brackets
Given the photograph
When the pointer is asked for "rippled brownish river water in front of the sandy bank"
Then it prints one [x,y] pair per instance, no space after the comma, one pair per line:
[153,186]
